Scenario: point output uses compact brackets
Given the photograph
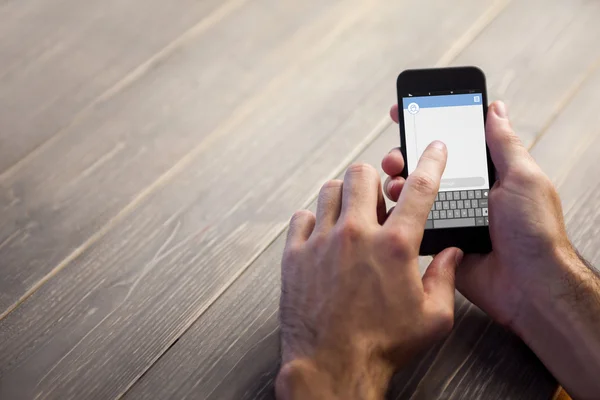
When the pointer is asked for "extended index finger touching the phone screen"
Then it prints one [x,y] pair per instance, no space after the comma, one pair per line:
[419,191]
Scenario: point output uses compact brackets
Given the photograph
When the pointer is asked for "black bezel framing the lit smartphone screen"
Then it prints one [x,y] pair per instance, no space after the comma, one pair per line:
[469,239]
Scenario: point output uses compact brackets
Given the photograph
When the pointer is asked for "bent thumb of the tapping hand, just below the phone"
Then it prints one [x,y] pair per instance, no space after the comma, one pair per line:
[438,280]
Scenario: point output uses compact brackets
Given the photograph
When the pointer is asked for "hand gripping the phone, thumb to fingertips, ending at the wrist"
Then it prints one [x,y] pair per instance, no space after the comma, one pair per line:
[526,224]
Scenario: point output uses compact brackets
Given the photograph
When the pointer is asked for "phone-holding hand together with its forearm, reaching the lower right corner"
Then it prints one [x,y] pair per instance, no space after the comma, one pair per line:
[529,280]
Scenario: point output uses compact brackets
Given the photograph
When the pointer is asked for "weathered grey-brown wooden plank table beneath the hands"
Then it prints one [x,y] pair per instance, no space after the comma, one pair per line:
[152,152]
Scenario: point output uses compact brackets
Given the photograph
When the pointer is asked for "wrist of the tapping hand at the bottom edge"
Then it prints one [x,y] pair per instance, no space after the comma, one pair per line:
[325,377]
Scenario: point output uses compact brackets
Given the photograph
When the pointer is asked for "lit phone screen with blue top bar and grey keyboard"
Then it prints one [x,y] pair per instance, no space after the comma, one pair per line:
[458,121]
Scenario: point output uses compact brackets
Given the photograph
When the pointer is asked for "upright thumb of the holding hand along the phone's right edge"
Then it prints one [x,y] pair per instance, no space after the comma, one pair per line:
[505,146]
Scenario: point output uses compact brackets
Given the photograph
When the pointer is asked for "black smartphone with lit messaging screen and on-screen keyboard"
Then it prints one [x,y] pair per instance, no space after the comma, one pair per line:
[450,105]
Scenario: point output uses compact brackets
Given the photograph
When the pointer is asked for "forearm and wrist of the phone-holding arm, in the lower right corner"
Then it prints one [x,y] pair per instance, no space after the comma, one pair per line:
[561,323]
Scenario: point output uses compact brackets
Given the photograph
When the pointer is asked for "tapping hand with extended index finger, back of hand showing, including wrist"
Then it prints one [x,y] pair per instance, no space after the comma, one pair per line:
[354,306]
